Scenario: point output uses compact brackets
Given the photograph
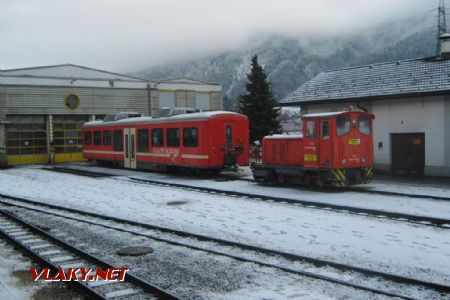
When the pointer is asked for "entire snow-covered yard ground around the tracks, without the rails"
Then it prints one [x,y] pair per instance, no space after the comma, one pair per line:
[392,246]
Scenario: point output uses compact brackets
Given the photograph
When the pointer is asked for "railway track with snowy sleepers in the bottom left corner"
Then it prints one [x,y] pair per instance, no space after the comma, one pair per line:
[51,252]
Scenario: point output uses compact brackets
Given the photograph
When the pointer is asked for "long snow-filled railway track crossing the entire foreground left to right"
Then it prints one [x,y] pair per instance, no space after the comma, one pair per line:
[370,275]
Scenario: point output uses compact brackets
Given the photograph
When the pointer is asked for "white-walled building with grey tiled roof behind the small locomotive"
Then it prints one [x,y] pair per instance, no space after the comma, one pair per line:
[411,103]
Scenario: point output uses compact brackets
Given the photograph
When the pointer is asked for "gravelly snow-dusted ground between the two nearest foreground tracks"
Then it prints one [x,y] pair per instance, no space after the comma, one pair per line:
[192,274]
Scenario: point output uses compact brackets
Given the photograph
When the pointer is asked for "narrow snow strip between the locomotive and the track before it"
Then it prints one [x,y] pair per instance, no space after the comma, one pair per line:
[406,205]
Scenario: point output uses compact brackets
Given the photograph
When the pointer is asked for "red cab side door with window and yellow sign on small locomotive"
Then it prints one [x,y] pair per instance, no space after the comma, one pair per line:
[311,149]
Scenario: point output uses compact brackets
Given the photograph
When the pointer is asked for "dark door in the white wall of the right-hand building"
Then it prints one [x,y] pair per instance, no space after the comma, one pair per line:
[408,152]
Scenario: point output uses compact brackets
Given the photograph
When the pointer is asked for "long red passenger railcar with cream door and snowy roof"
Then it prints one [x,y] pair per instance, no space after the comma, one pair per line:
[194,141]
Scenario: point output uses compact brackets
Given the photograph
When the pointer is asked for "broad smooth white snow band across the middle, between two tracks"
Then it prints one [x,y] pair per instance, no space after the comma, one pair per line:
[397,247]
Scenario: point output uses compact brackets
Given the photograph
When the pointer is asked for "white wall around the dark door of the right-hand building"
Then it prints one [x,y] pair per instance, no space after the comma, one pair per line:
[430,115]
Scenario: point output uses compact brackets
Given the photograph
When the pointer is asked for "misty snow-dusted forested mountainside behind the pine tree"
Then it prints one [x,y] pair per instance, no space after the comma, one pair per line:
[290,62]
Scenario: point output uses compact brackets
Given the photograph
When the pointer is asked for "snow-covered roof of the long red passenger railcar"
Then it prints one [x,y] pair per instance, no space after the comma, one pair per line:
[182,117]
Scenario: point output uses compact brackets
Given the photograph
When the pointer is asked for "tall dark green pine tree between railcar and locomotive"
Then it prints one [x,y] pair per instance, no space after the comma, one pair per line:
[258,104]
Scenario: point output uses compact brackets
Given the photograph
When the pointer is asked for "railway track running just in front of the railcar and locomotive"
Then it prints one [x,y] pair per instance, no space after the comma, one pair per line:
[416,219]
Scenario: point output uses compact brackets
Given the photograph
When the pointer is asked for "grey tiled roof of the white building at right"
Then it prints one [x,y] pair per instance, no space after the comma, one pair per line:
[394,79]
